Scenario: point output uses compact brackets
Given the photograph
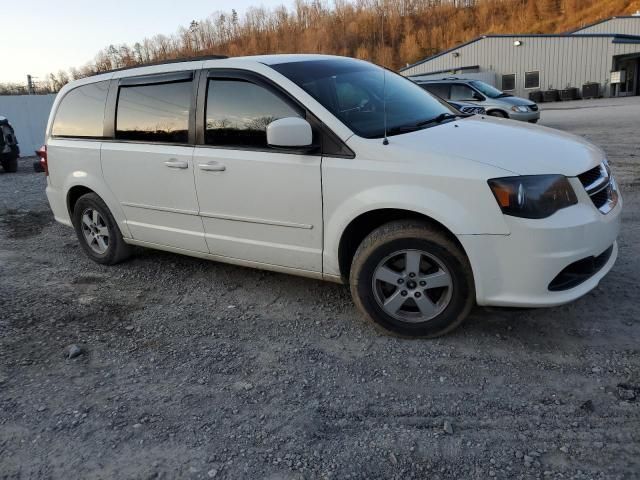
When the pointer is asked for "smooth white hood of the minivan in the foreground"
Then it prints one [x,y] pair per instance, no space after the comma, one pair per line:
[518,147]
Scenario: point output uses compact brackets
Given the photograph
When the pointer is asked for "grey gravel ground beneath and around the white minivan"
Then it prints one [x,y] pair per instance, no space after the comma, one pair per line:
[194,369]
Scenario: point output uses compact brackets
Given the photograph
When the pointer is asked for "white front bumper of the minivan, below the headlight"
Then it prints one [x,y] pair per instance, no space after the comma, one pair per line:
[515,270]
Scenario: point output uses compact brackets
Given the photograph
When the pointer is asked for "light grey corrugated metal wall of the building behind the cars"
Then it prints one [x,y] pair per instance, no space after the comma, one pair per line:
[568,61]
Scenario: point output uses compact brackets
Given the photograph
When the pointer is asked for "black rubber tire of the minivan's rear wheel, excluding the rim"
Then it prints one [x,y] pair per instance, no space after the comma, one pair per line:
[117,250]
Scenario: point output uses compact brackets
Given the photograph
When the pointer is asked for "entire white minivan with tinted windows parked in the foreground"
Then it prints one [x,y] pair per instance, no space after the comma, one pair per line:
[336,169]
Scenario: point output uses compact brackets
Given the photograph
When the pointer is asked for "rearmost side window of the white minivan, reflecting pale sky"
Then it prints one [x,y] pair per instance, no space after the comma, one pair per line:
[81,111]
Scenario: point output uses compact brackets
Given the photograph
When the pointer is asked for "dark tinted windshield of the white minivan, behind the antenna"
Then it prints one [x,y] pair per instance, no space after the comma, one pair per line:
[353,91]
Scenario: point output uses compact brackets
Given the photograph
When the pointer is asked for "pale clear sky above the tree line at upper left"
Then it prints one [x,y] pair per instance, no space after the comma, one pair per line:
[47,36]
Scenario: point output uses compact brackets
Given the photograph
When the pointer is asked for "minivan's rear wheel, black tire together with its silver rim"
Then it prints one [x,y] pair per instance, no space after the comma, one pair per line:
[98,232]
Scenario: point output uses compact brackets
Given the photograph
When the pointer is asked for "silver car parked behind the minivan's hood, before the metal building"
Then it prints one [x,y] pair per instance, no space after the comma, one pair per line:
[495,102]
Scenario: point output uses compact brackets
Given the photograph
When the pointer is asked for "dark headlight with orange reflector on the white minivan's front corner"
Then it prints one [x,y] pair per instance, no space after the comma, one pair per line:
[533,196]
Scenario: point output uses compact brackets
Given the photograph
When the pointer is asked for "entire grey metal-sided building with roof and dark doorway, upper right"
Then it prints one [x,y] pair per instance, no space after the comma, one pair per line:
[560,61]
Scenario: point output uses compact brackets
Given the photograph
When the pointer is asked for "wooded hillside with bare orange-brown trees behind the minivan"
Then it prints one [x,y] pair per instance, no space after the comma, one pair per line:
[392,33]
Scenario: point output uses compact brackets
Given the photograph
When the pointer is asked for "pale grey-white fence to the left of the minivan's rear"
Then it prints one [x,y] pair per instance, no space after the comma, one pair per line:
[28,115]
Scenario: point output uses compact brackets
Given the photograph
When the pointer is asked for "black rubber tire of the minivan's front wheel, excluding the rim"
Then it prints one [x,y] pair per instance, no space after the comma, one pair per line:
[411,235]
